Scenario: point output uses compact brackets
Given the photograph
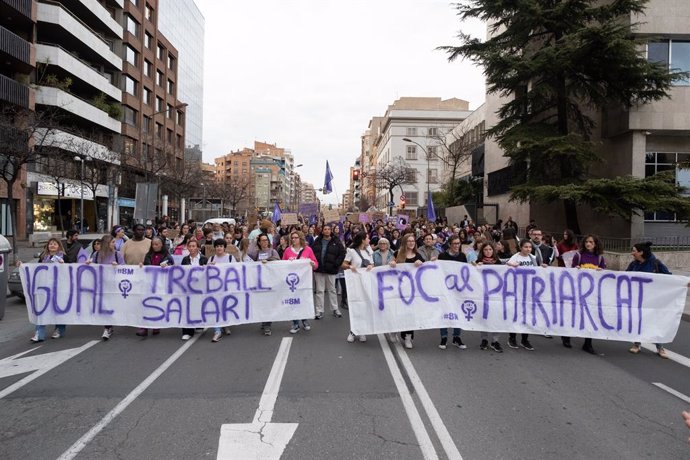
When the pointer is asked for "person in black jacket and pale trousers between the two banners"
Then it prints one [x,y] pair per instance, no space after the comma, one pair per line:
[330,254]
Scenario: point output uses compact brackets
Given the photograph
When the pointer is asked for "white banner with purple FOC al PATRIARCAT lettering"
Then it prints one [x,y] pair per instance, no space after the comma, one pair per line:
[629,306]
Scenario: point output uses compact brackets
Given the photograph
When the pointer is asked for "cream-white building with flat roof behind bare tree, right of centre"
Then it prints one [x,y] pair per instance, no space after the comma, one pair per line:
[411,135]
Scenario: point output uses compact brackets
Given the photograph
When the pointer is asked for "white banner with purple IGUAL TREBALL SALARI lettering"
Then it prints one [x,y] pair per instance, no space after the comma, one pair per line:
[174,296]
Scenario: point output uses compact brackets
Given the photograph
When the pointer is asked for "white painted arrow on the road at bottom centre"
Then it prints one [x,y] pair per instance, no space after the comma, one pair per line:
[260,439]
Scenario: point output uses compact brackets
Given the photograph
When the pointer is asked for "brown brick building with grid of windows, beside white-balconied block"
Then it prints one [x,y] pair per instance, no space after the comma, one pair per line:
[154,118]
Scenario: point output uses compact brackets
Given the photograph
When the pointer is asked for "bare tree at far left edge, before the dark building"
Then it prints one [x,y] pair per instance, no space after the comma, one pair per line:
[24,134]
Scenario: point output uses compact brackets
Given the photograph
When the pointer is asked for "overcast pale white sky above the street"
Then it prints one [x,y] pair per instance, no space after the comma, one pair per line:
[308,75]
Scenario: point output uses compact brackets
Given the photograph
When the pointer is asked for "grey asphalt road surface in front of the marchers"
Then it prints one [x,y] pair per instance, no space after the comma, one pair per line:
[550,403]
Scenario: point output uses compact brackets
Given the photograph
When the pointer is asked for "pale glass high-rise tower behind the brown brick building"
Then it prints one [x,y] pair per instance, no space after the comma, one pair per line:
[183,24]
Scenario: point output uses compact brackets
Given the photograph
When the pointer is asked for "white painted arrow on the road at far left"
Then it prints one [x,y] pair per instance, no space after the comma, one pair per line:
[39,363]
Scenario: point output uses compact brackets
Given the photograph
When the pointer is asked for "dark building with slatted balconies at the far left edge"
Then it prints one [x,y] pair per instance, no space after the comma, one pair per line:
[17,65]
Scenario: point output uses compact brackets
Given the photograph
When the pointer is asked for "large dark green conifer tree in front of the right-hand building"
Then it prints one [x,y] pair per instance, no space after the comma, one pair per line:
[556,62]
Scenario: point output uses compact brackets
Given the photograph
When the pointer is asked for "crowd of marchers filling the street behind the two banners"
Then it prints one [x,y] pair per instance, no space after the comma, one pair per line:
[332,248]
